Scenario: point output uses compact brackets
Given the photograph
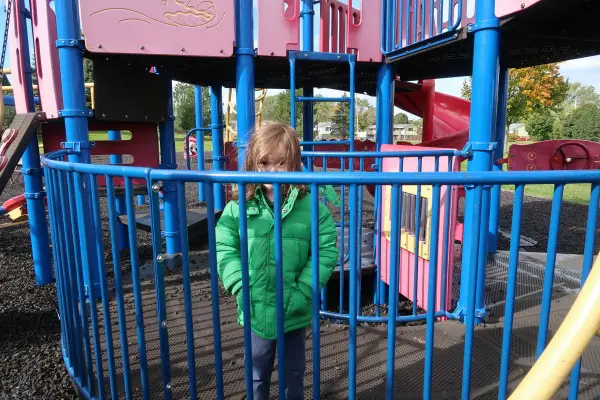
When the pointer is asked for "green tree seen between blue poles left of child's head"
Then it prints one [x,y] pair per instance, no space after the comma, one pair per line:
[184,105]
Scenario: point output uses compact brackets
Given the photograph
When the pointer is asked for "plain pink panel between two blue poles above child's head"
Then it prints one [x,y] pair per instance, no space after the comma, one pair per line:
[278,27]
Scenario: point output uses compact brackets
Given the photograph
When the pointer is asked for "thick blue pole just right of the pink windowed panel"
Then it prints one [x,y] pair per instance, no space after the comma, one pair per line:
[485,78]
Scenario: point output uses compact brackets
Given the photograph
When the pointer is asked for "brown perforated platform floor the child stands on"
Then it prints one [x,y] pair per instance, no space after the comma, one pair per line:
[371,340]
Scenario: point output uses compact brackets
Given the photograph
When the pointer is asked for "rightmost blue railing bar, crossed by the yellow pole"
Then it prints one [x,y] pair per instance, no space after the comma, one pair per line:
[588,259]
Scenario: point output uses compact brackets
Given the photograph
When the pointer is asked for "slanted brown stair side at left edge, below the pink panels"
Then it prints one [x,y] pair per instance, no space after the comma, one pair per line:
[13,144]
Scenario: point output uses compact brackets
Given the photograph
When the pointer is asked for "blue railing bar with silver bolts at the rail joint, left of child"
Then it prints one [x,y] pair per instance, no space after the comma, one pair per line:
[159,283]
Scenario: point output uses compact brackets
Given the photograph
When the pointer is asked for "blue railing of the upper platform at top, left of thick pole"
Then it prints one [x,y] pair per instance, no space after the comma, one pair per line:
[409,26]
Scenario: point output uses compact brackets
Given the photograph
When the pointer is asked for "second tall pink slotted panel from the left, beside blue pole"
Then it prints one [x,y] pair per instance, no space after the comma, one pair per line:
[46,54]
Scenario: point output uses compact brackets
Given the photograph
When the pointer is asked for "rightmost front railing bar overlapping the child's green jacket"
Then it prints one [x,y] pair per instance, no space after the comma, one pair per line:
[316,326]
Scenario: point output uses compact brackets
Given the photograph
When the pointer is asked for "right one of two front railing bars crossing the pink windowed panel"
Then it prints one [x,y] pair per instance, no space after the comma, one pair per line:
[431,291]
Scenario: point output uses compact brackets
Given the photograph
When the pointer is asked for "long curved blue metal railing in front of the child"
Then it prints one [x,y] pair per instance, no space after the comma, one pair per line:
[81,341]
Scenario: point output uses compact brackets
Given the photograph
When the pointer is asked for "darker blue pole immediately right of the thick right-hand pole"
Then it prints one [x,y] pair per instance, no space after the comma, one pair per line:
[498,154]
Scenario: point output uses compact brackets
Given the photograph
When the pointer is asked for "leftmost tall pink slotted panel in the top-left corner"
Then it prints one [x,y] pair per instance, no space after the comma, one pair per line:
[17,65]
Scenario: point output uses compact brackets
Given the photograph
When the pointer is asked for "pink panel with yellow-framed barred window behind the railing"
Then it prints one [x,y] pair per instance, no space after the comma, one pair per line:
[406,267]
